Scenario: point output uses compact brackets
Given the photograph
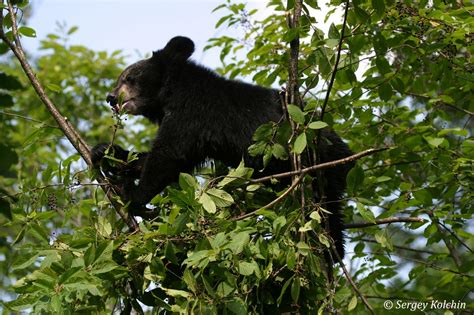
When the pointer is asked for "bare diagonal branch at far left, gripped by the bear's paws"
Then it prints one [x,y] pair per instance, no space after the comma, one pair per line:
[73,136]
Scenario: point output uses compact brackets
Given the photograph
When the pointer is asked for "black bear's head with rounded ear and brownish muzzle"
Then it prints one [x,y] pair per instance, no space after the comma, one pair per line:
[139,84]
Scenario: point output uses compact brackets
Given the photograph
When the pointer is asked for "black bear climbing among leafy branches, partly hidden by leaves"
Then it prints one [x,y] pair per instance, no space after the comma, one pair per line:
[203,115]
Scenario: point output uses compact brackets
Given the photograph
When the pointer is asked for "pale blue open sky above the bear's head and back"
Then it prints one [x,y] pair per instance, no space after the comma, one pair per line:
[135,26]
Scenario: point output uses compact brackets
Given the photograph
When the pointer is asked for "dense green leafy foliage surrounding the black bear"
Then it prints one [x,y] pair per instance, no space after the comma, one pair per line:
[403,80]
